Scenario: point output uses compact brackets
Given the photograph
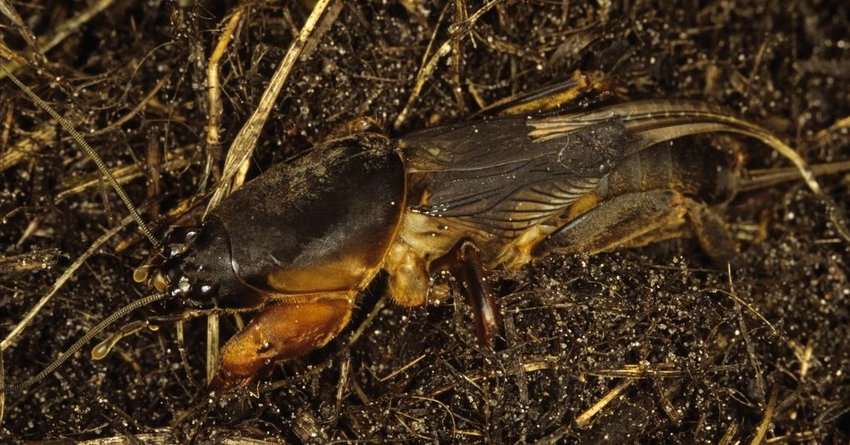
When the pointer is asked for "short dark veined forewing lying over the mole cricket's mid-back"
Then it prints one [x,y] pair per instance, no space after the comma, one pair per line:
[492,173]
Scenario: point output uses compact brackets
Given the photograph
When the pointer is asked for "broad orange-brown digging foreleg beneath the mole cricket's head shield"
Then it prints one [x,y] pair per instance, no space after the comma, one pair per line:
[281,331]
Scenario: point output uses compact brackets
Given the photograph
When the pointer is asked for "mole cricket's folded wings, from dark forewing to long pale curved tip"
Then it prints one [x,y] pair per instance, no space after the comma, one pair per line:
[511,173]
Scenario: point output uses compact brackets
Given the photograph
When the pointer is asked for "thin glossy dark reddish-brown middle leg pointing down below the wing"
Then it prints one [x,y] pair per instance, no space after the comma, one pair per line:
[466,268]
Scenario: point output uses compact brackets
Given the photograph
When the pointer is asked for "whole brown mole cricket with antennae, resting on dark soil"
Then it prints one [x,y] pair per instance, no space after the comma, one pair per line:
[303,240]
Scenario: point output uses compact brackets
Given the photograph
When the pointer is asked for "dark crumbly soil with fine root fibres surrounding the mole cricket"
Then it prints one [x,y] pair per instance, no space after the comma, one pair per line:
[701,355]
